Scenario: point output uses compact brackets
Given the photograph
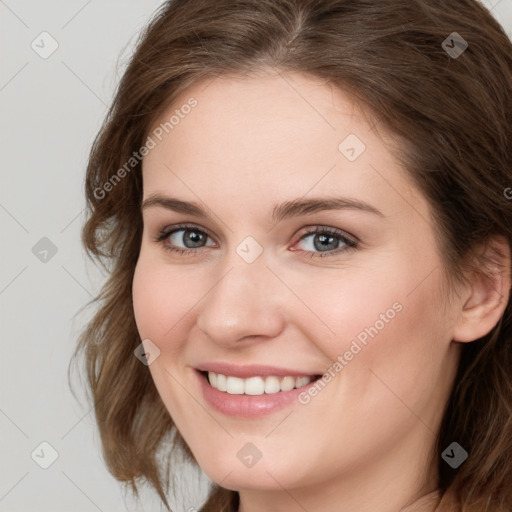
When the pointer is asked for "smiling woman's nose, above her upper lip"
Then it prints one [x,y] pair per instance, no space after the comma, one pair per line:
[246,302]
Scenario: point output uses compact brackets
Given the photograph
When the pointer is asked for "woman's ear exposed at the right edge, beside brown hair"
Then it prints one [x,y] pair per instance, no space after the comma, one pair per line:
[486,296]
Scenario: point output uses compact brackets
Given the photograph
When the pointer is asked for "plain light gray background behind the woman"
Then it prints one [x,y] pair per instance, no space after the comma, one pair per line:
[51,109]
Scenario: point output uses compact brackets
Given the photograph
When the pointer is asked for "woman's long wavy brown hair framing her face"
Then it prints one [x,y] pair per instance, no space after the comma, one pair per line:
[453,116]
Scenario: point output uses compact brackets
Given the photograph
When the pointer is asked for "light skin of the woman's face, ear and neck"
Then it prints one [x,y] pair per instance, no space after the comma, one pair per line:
[363,443]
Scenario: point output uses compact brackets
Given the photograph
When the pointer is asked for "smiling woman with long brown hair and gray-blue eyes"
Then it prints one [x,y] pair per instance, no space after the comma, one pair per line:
[244,139]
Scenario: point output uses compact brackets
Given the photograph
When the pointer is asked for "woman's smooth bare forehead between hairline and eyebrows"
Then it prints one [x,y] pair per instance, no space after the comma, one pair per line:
[282,135]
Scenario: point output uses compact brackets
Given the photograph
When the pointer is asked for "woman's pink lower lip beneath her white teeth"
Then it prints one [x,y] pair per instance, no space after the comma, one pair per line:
[248,406]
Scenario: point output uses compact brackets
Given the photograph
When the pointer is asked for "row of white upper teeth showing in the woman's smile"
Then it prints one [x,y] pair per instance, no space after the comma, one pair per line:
[256,385]
